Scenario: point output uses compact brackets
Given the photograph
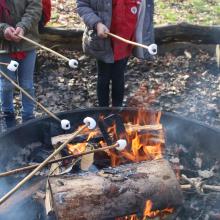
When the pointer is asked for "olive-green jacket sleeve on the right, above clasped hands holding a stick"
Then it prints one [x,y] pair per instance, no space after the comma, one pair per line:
[31,16]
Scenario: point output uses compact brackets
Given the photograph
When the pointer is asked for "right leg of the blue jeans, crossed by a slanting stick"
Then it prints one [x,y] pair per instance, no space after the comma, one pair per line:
[25,78]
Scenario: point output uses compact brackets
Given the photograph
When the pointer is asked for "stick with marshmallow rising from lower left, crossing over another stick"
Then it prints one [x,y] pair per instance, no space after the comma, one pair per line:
[88,123]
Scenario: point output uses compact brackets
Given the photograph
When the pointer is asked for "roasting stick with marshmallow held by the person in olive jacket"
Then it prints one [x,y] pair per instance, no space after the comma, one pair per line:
[72,62]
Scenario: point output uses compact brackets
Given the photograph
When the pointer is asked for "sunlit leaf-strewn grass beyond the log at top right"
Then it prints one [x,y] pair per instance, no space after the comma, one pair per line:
[203,12]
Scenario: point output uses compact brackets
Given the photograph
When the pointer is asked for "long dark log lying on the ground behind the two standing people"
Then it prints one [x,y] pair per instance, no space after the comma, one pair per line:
[183,32]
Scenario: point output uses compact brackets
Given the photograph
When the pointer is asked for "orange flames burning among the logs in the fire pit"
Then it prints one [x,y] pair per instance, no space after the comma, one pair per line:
[144,143]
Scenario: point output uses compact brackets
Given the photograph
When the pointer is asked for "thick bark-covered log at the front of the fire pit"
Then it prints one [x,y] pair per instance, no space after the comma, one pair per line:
[116,192]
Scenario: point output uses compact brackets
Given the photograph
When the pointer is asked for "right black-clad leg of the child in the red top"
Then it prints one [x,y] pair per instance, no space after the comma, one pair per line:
[117,76]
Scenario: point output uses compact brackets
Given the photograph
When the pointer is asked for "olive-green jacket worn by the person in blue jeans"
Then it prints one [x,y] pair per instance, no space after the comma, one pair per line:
[25,14]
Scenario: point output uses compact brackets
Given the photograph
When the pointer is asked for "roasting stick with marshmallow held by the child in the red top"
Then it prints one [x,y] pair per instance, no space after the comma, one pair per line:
[152,49]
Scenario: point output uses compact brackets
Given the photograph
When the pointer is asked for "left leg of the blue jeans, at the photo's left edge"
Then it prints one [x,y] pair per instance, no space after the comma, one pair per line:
[6,88]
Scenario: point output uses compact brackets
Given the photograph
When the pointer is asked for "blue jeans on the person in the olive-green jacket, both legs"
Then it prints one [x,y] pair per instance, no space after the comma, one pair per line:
[24,77]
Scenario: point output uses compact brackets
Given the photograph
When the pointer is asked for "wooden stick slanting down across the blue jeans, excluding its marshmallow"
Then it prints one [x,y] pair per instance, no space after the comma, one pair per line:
[30,97]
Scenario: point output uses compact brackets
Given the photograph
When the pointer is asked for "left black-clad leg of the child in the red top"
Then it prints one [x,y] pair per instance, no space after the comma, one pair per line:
[103,83]
